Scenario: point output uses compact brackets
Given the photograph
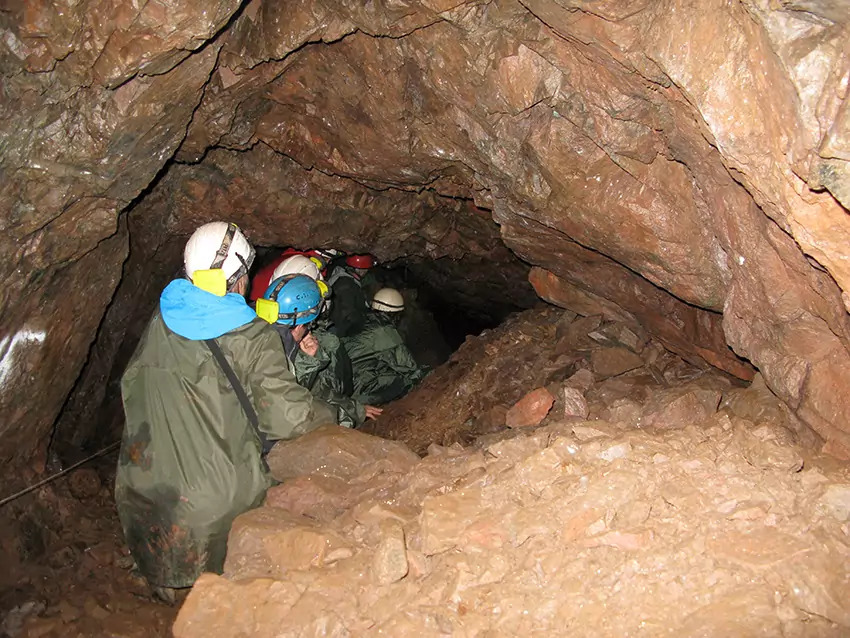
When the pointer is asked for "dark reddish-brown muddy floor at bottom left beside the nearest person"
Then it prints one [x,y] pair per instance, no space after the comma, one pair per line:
[81,583]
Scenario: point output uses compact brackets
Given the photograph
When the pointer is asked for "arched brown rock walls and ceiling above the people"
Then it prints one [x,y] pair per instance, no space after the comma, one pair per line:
[697,147]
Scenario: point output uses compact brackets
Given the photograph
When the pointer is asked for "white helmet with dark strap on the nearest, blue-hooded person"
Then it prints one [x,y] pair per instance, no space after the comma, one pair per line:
[218,245]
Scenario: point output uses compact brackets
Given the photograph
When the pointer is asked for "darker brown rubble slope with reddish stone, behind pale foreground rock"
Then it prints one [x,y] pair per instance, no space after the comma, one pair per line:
[543,355]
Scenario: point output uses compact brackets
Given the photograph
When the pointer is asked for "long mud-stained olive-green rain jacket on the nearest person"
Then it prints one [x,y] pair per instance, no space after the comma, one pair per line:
[190,460]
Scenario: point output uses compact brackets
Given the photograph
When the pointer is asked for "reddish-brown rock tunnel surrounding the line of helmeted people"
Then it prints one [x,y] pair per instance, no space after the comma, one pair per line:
[621,232]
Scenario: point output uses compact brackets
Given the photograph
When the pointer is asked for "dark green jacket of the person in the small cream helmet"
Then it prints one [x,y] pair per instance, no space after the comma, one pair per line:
[383,368]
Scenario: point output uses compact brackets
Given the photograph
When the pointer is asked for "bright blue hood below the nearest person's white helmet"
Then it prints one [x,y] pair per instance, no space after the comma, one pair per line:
[197,314]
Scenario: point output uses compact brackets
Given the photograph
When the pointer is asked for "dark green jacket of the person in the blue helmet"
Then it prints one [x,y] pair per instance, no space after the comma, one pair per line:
[328,377]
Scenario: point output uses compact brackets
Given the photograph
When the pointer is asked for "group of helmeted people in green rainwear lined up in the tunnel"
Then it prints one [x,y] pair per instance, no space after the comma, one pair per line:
[215,381]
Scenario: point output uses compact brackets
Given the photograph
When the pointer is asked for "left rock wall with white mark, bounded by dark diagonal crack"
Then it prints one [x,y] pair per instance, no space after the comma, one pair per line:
[96,97]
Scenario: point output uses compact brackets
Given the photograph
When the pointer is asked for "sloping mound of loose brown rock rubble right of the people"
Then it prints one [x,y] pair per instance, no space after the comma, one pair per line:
[682,504]
